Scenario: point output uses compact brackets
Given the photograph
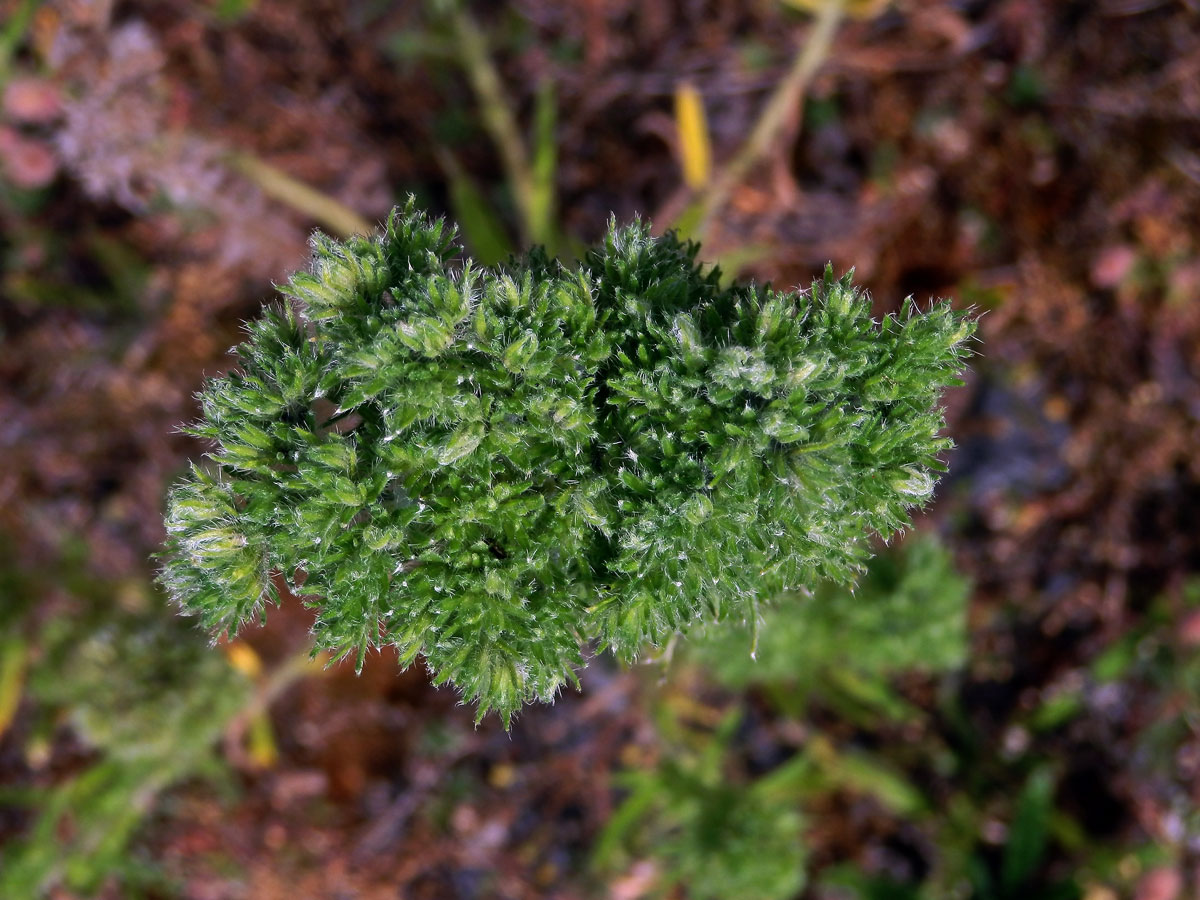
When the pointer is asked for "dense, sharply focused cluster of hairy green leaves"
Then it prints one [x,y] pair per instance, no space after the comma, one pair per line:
[488,469]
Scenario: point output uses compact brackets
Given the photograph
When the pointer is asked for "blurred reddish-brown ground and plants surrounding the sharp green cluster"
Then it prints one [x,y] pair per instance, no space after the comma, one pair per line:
[1006,709]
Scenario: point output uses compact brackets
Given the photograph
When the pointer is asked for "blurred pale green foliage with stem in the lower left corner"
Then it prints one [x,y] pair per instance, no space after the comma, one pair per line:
[147,698]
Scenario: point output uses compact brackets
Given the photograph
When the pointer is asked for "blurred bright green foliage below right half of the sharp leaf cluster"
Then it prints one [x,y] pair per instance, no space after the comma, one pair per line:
[721,833]
